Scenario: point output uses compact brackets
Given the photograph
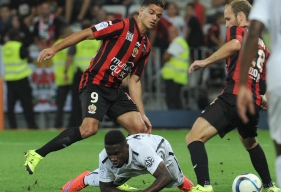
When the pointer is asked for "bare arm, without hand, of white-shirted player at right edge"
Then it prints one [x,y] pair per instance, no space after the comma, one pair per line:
[248,52]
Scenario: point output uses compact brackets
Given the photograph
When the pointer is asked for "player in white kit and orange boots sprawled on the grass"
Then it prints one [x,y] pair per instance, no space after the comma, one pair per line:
[124,158]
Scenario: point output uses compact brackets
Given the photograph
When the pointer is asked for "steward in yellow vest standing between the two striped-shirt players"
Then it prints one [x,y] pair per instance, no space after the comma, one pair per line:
[175,70]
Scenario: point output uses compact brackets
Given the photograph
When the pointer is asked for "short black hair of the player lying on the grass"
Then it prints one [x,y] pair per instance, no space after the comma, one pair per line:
[114,137]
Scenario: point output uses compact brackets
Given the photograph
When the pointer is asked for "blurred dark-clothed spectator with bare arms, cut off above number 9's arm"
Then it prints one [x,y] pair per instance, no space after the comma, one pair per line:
[77,10]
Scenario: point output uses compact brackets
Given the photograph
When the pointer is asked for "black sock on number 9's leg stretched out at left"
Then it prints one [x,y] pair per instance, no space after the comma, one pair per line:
[64,139]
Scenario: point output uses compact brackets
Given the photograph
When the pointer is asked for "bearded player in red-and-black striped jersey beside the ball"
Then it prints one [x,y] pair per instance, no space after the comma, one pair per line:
[221,116]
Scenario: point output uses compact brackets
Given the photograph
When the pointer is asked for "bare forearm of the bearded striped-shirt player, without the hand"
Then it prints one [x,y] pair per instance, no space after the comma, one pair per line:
[225,51]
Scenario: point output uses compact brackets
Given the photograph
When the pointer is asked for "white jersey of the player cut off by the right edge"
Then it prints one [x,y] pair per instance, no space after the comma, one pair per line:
[269,13]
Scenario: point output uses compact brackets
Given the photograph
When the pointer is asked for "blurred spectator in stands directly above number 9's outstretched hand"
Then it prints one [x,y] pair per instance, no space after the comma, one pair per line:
[46,30]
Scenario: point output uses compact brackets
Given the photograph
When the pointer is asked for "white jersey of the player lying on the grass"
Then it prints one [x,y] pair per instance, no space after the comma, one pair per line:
[146,151]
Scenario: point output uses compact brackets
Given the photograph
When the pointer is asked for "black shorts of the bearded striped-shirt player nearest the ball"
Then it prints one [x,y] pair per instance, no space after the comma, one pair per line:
[222,114]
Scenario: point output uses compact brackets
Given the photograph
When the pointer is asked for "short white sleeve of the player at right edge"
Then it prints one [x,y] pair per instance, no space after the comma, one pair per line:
[261,11]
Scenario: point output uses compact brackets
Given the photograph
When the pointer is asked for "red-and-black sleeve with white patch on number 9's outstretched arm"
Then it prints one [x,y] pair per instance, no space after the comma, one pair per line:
[108,29]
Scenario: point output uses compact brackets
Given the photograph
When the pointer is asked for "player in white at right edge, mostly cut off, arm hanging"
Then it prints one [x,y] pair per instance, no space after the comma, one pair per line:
[265,13]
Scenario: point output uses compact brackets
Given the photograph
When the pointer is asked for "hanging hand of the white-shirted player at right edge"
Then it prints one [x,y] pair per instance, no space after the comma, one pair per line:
[245,103]
